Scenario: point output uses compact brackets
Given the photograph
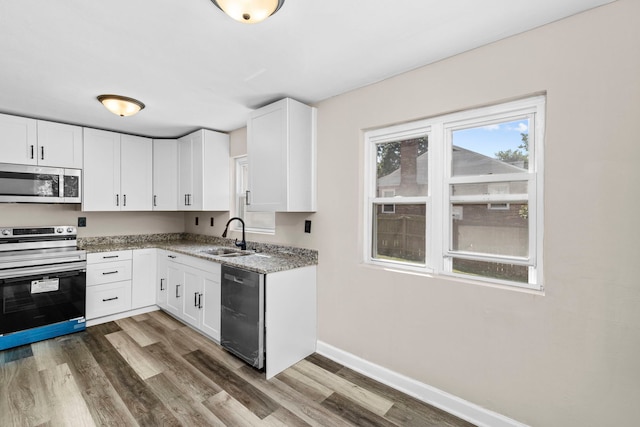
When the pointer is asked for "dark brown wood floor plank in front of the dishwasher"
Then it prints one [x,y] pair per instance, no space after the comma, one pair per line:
[249,396]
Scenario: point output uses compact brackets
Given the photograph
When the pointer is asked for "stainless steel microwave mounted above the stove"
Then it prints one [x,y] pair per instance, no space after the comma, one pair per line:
[36,184]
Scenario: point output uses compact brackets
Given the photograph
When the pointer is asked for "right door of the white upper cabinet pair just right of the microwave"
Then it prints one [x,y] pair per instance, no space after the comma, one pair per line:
[136,173]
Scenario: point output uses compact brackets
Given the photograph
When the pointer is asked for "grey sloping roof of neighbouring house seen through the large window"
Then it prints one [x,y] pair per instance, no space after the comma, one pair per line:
[465,162]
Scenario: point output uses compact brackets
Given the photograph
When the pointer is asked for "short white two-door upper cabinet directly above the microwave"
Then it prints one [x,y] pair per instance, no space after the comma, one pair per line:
[37,142]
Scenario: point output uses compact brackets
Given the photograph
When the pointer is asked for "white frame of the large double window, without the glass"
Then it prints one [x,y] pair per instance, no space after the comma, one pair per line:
[438,202]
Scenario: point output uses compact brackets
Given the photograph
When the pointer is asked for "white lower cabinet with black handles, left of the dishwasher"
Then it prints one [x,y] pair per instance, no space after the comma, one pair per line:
[193,292]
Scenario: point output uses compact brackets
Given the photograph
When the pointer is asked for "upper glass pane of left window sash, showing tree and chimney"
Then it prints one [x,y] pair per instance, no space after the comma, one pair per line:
[401,167]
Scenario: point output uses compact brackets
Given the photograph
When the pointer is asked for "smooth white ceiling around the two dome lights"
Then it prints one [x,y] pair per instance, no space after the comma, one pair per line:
[194,67]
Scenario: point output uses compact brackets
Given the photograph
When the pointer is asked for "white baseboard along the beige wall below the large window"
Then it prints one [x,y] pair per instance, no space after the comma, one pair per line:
[424,392]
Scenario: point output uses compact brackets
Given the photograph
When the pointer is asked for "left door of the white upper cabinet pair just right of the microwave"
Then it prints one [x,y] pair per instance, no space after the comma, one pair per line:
[101,185]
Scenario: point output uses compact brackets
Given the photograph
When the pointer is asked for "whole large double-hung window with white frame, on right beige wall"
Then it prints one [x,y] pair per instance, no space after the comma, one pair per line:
[459,194]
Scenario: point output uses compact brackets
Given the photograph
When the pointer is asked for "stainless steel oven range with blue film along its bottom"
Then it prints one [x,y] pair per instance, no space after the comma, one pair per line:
[42,284]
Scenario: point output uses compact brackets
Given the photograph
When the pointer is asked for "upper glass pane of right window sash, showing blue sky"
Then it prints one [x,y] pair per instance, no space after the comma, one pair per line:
[491,149]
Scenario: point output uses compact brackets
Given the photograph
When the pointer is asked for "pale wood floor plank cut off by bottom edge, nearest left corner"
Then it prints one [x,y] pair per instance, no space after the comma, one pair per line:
[68,406]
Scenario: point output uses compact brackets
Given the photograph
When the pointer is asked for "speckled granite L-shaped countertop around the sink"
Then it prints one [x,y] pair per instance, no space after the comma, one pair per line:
[267,258]
